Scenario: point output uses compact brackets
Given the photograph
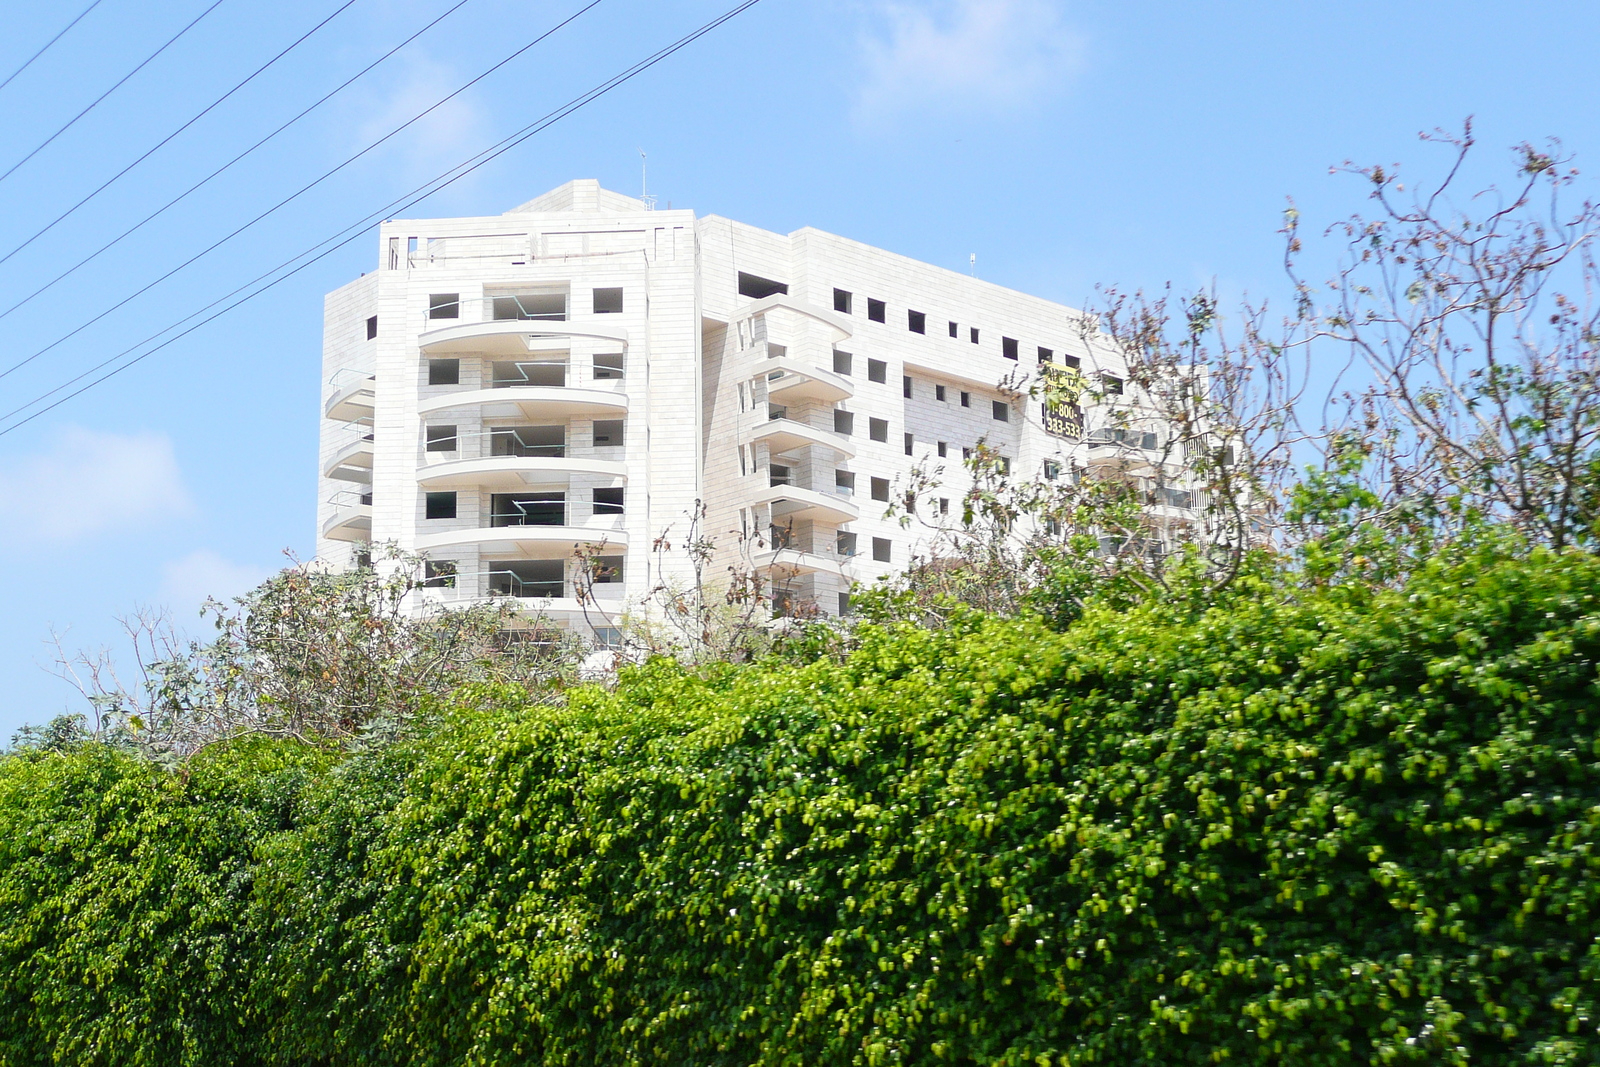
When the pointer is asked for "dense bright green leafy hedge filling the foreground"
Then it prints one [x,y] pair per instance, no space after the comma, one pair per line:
[1327,828]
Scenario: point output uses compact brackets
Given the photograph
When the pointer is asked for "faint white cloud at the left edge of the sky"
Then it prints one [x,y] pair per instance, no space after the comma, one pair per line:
[90,484]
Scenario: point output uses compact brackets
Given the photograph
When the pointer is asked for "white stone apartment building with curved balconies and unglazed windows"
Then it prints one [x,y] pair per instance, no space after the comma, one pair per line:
[585,374]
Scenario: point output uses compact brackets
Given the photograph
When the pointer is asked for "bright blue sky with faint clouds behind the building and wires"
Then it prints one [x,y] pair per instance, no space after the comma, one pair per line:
[1066,145]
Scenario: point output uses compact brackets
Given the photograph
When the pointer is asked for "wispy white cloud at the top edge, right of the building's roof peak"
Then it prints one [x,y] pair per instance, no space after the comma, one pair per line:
[966,57]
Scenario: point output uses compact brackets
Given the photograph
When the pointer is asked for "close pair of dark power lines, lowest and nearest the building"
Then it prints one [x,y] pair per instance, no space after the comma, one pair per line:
[351,233]
